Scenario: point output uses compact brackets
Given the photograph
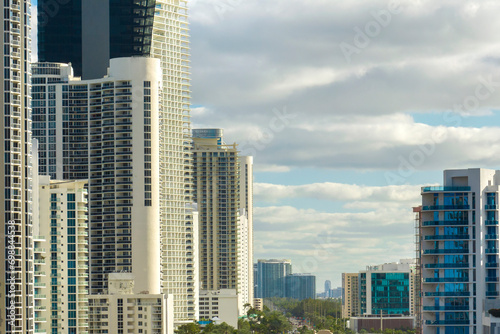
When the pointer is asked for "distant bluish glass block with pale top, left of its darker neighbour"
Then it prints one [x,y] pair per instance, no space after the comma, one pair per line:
[271,277]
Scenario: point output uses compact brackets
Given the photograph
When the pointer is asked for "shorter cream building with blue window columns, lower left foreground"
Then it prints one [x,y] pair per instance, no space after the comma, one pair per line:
[61,256]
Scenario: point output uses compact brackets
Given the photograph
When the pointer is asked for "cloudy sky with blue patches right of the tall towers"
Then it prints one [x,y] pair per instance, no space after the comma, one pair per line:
[348,107]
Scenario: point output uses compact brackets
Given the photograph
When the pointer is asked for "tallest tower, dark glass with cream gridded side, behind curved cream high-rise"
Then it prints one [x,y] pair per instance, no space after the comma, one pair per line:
[105,29]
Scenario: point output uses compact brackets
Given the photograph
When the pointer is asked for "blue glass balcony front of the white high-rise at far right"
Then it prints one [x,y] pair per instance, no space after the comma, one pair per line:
[449,264]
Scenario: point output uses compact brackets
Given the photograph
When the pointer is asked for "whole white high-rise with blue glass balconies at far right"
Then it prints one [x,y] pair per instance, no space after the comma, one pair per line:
[460,253]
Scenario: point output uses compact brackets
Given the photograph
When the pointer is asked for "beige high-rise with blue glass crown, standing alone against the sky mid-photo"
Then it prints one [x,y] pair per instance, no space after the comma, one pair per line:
[222,183]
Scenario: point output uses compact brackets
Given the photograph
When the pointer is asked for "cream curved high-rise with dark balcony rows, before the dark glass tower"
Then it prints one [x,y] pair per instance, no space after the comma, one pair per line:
[121,162]
